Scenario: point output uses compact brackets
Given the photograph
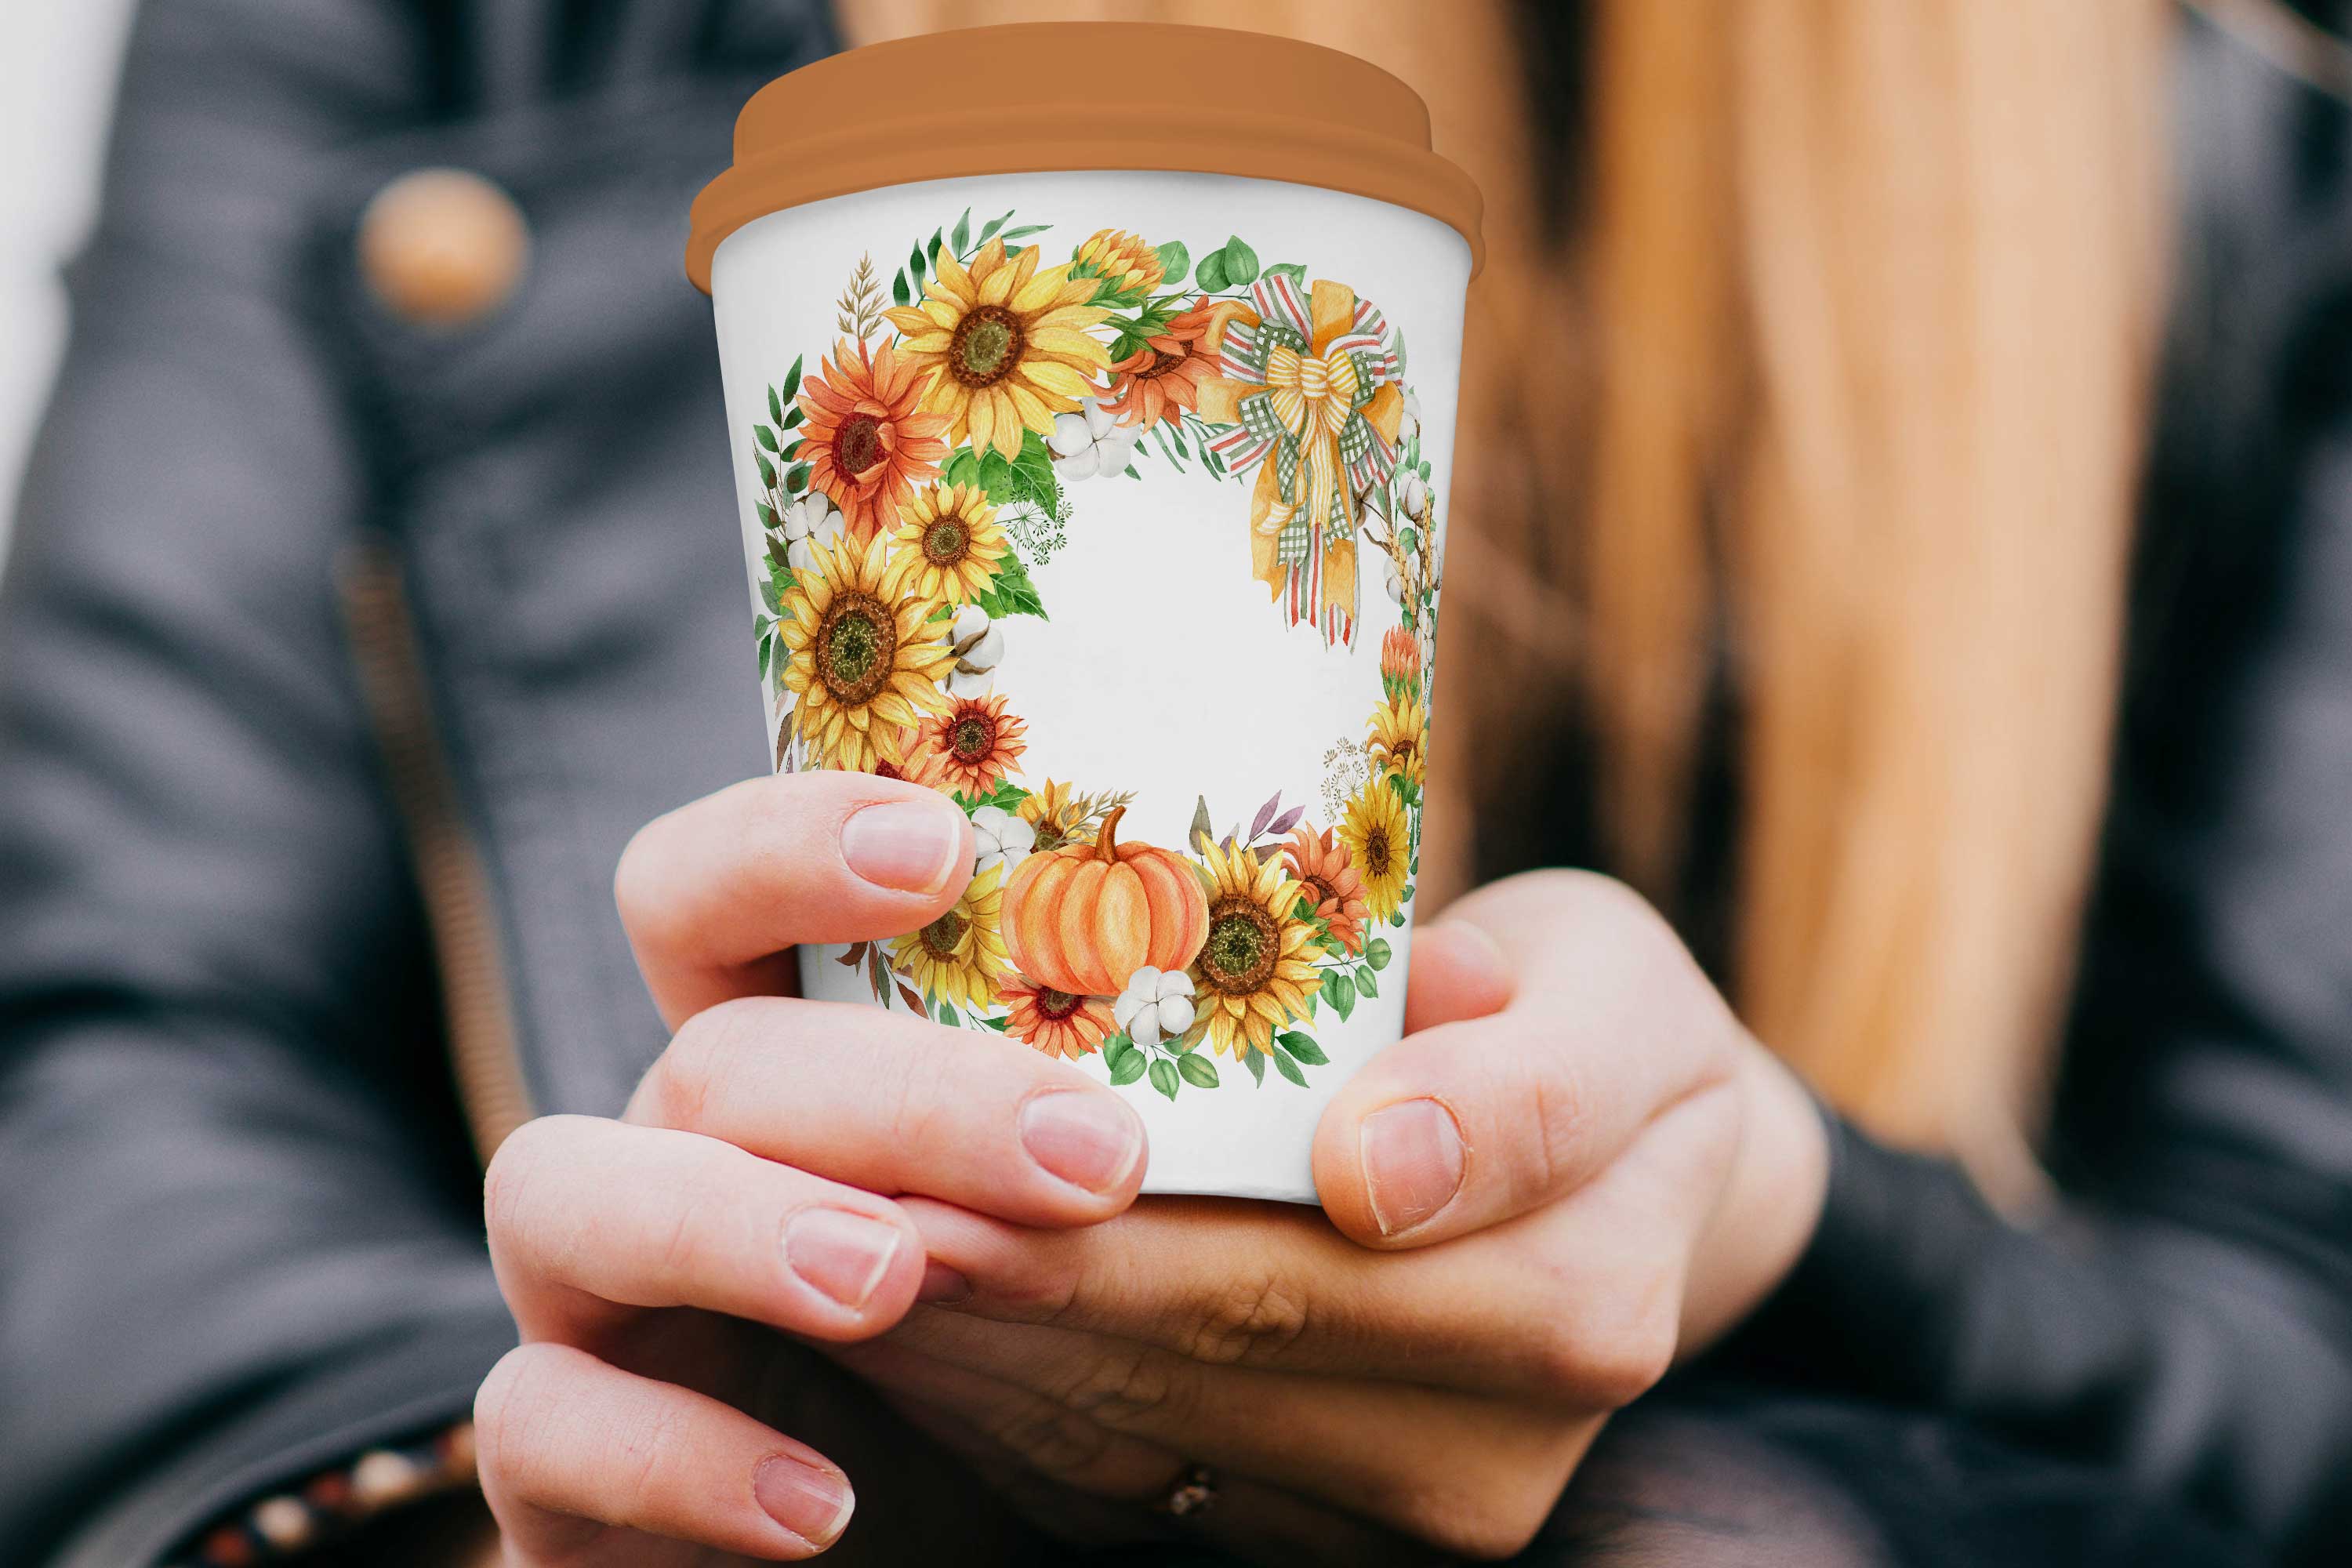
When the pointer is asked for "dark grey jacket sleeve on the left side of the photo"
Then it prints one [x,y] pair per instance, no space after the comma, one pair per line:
[239,1221]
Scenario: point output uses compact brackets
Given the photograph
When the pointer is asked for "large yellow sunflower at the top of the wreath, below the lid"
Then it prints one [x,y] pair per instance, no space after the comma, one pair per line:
[1003,344]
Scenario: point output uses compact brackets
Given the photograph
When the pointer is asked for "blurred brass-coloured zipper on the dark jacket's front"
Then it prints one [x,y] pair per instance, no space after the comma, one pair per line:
[479,1012]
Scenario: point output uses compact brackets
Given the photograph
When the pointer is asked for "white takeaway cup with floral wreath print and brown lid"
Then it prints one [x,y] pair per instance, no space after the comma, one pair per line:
[1093,401]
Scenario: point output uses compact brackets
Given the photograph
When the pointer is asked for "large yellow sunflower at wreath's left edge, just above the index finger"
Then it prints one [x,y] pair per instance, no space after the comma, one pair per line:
[862,662]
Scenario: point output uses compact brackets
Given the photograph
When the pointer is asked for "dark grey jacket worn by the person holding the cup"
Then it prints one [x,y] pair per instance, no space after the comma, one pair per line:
[340,659]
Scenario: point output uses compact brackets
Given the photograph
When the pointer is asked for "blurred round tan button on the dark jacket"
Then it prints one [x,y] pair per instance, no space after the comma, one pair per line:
[443,248]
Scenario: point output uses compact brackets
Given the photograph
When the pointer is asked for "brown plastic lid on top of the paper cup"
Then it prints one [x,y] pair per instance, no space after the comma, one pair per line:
[1081,95]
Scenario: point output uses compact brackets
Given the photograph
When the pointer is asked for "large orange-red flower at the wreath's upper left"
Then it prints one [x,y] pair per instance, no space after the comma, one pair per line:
[869,441]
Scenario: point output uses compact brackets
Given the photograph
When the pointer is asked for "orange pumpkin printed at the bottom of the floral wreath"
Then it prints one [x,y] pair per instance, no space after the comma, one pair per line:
[1085,918]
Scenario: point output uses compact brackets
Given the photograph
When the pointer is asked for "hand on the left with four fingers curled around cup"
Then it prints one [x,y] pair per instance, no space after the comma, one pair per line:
[660,1261]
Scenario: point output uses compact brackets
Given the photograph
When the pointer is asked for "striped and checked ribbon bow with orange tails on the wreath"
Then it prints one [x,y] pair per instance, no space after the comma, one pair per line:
[1309,391]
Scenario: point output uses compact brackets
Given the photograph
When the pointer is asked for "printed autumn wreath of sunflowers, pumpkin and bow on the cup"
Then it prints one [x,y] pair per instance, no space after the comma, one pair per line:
[914,481]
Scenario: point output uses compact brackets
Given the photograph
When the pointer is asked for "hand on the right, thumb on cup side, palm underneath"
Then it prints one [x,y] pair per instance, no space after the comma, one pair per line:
[1575,1170]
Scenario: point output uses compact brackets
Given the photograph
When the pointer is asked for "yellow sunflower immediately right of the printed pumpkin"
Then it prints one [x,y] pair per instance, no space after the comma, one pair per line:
[1255,972]
